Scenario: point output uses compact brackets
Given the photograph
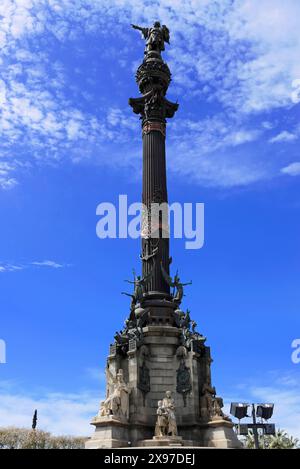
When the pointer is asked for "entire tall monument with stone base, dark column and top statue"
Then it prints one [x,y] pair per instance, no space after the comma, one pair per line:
[159,390]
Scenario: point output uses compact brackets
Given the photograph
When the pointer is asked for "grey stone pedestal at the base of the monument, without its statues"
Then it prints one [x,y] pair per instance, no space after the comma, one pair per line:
[162,363]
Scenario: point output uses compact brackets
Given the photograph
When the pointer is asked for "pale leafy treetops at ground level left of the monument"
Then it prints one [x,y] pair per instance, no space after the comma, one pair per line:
[22,438]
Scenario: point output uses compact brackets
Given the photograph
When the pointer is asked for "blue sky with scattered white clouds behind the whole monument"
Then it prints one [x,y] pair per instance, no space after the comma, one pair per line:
[70,141]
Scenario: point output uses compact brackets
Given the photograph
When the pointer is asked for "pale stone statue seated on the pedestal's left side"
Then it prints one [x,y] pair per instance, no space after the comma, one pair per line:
[117,402]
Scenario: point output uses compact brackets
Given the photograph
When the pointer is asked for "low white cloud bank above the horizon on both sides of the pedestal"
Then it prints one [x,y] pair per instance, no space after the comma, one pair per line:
[65,413]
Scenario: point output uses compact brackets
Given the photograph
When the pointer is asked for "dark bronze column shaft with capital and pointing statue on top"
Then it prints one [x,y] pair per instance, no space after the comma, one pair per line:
[153,77]
